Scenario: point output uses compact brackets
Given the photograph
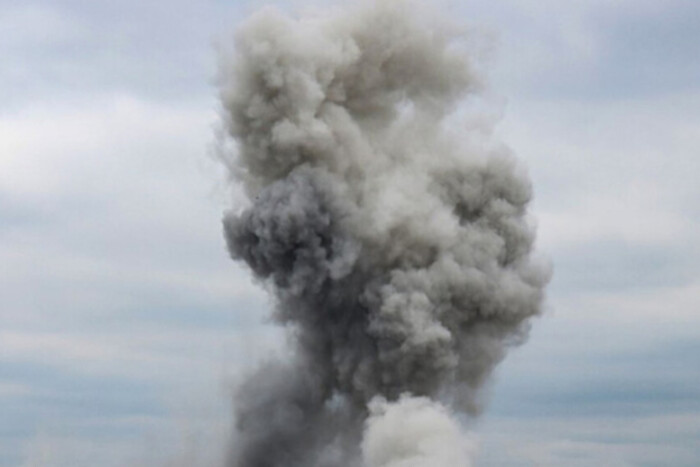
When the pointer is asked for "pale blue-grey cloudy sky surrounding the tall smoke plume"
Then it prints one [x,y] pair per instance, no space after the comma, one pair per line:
[124,324]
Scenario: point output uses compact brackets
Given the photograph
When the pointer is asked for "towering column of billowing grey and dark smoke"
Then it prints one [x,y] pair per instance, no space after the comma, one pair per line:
[397,249]
